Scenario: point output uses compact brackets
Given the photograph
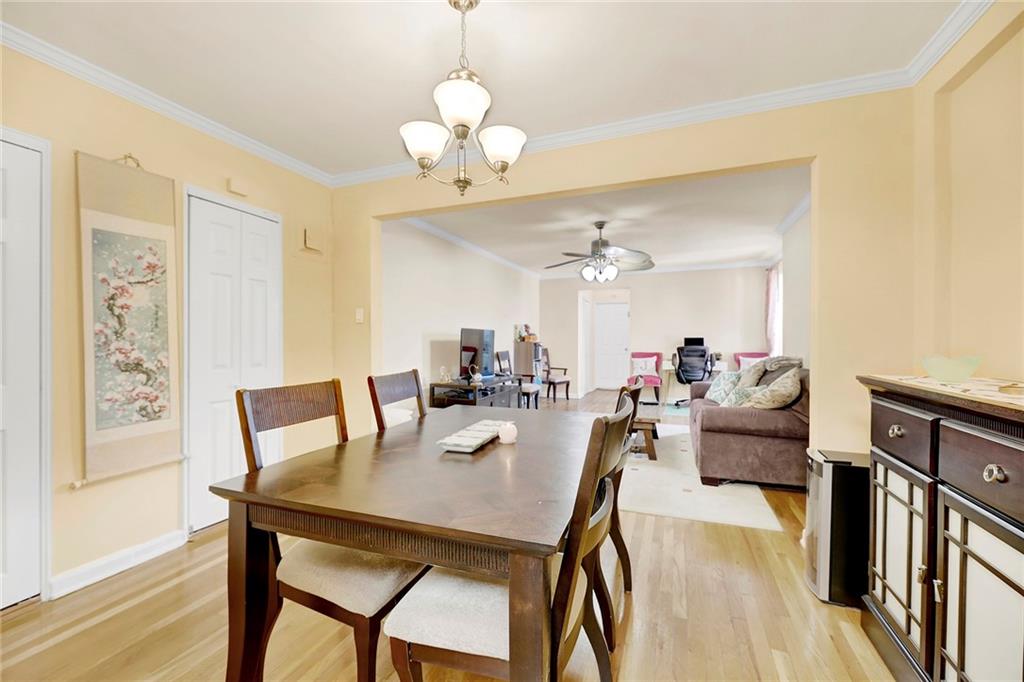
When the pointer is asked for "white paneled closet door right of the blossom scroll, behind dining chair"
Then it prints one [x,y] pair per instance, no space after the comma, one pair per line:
[235,342]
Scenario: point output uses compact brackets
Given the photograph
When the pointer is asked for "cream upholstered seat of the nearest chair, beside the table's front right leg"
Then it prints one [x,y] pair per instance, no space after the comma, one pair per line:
[458,612]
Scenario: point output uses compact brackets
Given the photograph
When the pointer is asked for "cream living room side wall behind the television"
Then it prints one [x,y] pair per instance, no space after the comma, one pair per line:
[432,288]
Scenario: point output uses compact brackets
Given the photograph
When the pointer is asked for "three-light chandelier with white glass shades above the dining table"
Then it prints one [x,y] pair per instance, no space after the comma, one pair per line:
[462,103]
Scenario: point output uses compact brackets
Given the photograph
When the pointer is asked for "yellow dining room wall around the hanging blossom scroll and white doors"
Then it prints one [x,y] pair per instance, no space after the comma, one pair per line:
[111,516]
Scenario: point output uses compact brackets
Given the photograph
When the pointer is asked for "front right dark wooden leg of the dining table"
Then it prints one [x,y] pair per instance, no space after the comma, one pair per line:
[530,620]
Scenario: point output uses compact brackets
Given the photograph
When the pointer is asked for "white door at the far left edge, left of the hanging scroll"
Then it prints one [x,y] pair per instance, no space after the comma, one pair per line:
[21,371]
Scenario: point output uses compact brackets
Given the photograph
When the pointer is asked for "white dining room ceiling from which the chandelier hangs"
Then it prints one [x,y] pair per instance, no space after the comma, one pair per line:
[329,84]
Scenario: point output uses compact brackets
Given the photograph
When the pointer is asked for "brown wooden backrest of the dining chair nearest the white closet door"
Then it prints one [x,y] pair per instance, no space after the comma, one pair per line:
[266,409]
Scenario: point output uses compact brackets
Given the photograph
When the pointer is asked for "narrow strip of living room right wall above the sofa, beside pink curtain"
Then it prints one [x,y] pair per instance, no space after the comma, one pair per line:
[797,290]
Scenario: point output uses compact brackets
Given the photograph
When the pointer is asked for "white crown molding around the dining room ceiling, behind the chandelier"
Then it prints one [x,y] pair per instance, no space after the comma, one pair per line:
[959,22]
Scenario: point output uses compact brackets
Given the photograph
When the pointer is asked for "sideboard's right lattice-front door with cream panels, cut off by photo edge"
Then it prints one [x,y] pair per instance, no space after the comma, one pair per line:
[980,586]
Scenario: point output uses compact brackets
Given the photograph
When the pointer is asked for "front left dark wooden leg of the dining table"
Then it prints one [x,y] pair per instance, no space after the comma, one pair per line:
[253,603]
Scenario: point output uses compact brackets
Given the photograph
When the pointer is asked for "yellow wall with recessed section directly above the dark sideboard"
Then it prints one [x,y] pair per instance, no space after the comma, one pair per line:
[969,173]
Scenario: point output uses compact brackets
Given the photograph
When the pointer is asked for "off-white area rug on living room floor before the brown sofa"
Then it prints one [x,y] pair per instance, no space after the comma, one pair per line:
[671,487]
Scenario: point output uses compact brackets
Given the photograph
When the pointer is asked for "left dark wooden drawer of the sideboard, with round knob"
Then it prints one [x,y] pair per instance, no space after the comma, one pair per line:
[906,434]
